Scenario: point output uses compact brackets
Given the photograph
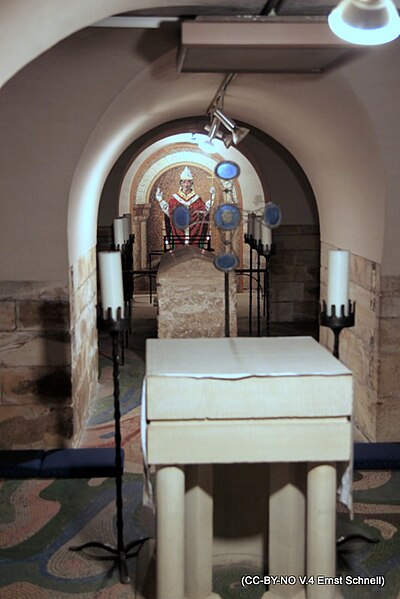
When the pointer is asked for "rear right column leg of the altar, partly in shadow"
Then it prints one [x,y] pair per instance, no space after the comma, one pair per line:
[287,510]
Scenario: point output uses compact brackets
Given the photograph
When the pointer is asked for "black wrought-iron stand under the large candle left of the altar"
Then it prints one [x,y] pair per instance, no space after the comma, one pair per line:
[116,328]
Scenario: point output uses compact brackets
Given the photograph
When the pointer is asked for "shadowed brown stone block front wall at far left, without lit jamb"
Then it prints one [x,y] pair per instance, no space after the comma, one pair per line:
[35,365]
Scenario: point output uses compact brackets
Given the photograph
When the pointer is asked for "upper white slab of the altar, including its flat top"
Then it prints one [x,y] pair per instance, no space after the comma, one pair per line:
[240,377]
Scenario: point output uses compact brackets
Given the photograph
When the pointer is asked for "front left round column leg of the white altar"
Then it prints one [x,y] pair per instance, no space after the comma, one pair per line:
[170,505]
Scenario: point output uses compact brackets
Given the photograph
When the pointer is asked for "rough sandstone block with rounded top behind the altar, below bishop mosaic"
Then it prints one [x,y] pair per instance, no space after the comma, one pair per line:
[191,296]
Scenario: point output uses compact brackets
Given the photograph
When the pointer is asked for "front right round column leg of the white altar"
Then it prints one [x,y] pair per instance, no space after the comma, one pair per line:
[321,528]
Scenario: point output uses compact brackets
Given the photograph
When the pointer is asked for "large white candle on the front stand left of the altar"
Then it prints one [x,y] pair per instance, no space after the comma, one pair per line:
[112,294]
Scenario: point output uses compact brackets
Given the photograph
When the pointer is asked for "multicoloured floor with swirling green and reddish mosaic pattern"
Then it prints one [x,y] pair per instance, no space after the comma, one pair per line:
[41,519]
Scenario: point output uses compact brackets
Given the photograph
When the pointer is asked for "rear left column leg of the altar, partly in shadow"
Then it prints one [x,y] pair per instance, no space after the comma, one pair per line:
[199,532]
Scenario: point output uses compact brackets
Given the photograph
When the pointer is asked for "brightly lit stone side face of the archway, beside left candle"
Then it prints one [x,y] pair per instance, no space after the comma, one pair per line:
[84,343]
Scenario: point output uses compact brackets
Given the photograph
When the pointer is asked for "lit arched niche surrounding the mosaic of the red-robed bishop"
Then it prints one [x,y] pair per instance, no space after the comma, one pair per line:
[160,164]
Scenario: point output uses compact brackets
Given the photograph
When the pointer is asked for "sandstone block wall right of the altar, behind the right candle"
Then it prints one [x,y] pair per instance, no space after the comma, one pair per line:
[370,349]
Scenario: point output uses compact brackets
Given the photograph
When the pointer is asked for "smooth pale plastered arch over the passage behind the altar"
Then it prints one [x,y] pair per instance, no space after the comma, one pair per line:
[319,121]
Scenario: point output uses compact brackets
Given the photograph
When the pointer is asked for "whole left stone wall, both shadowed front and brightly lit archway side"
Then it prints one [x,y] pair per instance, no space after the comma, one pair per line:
[48,358]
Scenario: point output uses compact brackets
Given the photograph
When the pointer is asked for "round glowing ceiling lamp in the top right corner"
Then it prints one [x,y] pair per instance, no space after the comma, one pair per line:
[365,22]
